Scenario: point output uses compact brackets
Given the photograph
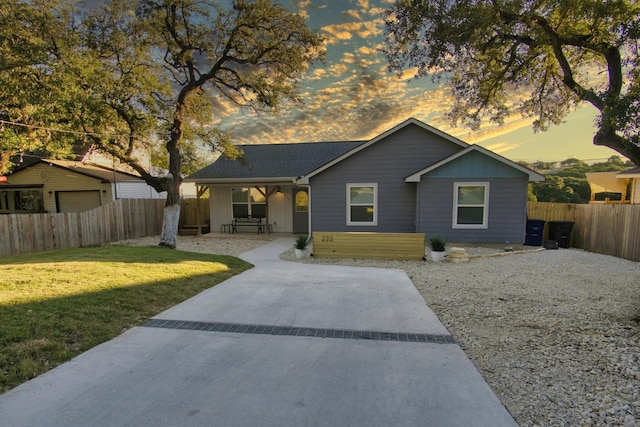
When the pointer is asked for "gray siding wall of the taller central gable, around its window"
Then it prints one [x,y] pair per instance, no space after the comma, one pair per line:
[386,162]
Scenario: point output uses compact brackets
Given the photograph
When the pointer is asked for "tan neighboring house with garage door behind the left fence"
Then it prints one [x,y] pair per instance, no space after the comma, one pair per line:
[68,186]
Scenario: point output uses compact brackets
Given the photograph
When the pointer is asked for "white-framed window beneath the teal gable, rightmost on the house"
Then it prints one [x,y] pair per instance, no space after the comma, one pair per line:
[470,204]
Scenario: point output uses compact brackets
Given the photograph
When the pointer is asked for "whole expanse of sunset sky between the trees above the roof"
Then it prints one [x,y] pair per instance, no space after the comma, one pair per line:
[353,97]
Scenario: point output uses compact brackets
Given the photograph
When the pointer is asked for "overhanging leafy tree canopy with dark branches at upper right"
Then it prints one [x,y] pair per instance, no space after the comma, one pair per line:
[541,57]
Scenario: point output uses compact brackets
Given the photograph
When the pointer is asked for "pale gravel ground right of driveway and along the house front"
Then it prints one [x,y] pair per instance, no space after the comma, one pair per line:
[556,334]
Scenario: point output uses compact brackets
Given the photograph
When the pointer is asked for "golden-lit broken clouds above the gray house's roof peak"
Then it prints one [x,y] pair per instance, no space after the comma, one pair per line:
[355,98]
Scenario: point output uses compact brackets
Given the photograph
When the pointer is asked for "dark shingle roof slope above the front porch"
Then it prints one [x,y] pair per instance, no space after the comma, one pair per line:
[275,160]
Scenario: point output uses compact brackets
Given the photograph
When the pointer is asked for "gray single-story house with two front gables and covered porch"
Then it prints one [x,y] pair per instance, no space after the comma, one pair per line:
[412,178]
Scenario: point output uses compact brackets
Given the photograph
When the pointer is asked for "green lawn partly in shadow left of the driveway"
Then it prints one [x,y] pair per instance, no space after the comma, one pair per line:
[55,305]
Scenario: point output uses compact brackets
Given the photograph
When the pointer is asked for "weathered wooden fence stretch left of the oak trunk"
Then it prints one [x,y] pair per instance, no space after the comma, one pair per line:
[120,220]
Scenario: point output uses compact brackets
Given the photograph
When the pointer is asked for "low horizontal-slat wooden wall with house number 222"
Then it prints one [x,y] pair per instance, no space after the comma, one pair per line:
[398,246]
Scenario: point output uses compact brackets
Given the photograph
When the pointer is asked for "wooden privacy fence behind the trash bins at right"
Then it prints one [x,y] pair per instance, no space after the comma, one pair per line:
[609,229]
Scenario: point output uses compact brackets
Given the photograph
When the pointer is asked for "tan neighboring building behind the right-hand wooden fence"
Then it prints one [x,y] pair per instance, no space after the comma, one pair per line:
[615,182]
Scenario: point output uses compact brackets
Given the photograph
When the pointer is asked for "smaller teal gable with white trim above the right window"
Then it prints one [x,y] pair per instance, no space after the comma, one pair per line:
[466,162]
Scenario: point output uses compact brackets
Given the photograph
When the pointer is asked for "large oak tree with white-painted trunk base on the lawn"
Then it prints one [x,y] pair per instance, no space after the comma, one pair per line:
[126,74]
